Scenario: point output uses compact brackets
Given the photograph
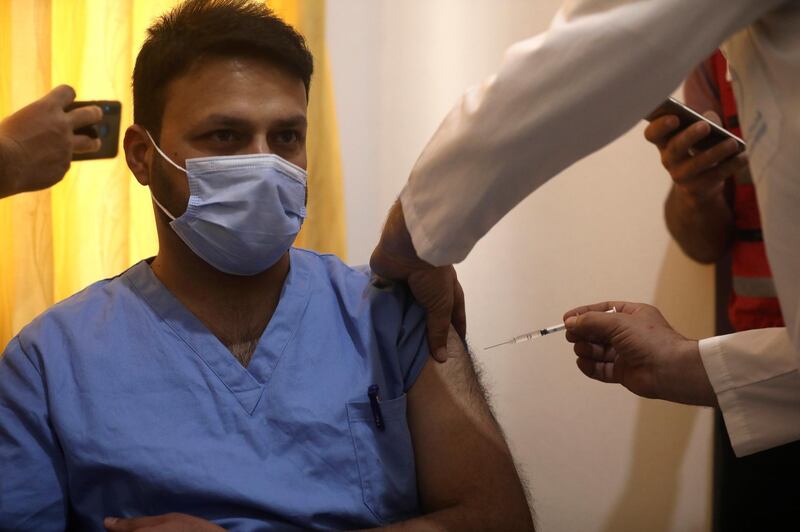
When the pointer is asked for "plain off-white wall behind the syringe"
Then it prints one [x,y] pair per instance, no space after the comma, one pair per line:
[597,458]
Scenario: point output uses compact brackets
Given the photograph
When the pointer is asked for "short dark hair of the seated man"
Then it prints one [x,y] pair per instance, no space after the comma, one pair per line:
[202,28]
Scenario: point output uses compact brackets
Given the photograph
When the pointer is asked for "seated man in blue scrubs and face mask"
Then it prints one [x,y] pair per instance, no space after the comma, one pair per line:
[232,381]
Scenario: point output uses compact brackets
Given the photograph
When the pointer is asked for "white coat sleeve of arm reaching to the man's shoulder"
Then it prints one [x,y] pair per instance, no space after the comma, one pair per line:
[556,98]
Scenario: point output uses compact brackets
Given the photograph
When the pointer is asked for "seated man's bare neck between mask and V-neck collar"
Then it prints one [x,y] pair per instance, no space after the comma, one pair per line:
[236,309]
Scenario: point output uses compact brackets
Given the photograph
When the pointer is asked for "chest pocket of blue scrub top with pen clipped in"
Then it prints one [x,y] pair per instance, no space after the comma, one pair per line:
[385,457]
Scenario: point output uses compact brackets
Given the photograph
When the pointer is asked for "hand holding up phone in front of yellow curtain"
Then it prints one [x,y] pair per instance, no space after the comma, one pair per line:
[38,141]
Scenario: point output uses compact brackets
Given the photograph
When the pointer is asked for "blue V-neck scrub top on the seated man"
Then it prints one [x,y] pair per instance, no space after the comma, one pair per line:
[119,402]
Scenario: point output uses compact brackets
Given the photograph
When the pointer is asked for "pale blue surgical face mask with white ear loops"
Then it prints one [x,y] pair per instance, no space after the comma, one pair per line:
[244,211]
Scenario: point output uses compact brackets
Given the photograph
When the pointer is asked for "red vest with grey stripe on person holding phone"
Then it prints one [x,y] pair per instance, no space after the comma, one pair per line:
[753,303]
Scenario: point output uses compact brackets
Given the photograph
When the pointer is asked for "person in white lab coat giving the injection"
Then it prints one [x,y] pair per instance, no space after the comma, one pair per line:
[604,64]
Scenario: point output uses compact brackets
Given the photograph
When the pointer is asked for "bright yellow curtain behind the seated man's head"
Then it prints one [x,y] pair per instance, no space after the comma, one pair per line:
[99,220]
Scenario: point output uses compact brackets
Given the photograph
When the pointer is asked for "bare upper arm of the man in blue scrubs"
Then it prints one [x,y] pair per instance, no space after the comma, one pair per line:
[461,455]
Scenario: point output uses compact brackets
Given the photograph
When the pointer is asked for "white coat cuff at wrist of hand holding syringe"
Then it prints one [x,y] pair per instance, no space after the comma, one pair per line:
[756,378]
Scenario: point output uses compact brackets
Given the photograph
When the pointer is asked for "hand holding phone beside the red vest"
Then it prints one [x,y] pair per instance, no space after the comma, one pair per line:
[700,174]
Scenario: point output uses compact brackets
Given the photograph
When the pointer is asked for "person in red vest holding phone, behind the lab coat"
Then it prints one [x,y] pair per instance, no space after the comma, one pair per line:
[712,213]
